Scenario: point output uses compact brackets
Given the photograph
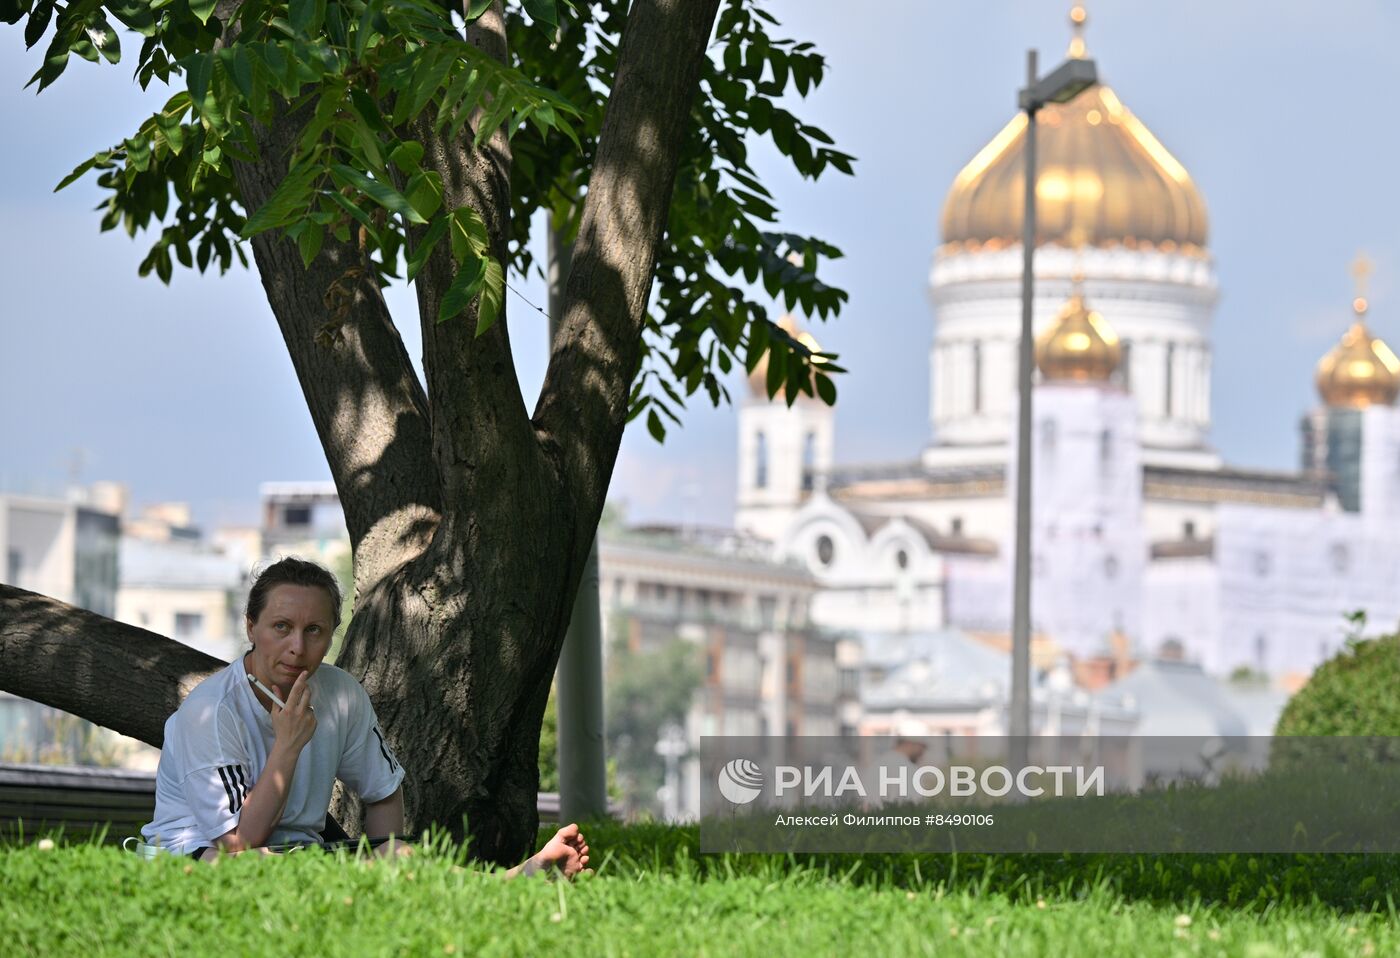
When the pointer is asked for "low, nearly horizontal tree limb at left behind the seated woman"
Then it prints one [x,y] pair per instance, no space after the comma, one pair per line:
[117,676]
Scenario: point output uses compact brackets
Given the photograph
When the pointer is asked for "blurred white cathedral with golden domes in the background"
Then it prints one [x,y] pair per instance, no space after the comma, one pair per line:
[1146,543]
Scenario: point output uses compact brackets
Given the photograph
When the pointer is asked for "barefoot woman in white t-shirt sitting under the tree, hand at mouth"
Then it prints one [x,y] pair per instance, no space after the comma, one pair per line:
[243,771]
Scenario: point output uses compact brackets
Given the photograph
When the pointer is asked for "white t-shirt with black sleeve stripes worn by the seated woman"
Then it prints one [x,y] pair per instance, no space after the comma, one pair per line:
[218,744]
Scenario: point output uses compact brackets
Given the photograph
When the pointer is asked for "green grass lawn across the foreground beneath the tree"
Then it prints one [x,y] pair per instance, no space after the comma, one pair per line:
[654,896]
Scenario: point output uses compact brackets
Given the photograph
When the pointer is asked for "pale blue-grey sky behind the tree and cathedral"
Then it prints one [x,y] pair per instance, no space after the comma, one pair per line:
[1280,111]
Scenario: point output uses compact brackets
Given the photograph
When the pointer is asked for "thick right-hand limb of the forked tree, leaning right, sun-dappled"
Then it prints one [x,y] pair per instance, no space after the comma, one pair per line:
[583,407]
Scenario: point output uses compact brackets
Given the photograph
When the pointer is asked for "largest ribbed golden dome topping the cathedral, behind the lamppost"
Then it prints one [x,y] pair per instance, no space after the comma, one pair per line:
[1104,180]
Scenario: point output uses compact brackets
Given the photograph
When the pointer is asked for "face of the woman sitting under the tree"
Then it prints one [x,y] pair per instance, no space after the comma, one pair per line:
[292,635]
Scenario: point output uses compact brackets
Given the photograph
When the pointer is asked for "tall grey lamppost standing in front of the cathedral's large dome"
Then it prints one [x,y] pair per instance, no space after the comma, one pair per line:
[1063,85]
